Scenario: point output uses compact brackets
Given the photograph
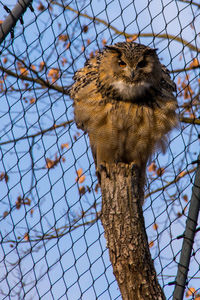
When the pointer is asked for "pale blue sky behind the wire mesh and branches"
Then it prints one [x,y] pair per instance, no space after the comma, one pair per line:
[78,261]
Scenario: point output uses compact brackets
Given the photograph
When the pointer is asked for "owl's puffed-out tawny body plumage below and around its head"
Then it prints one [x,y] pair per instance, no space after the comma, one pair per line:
[122,130]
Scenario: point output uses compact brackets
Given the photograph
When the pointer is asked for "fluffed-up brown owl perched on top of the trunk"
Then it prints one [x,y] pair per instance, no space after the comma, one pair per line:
[123,99]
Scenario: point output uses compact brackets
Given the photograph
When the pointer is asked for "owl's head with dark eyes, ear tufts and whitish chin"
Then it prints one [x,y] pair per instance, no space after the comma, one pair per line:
[129,71]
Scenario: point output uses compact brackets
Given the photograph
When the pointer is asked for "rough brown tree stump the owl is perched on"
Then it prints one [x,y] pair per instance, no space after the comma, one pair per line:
[123,222]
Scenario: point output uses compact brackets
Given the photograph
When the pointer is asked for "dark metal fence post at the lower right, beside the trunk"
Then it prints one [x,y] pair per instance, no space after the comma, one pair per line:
[188,236]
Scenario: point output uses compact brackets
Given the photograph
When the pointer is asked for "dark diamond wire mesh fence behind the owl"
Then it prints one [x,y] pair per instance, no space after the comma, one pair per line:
[52,241]
